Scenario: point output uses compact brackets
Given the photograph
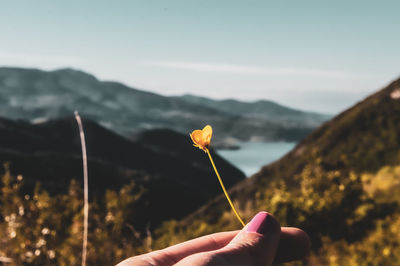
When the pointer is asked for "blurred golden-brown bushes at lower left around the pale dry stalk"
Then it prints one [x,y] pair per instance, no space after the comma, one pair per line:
[39,229]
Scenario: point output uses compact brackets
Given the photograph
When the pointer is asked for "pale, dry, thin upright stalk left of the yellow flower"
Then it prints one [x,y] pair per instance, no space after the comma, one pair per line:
[85,189]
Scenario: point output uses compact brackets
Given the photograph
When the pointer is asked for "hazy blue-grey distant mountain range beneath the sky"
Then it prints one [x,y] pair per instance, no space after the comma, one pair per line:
[37,95]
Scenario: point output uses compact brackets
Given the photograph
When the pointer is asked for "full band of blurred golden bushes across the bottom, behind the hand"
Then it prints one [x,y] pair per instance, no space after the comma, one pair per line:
[352,222]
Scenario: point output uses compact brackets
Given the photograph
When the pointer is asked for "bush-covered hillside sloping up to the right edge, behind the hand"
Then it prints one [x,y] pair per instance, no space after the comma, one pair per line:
[339,184]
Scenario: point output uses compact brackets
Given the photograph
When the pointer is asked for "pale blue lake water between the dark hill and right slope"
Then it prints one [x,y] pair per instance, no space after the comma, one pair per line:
[253,155]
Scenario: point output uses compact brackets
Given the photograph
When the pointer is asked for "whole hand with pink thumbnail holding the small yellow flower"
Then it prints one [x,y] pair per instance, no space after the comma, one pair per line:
[260,242]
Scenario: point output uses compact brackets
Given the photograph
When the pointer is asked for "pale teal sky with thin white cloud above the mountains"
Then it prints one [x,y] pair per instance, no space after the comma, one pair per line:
[318,55]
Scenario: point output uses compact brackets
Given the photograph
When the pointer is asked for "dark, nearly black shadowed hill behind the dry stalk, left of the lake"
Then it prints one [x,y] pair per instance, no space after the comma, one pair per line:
[163,164]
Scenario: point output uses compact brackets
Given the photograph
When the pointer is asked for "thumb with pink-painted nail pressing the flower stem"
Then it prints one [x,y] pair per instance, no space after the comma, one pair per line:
[256,244]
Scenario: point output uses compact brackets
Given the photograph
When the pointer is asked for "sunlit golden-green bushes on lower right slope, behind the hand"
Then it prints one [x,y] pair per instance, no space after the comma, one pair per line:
[349,218]
